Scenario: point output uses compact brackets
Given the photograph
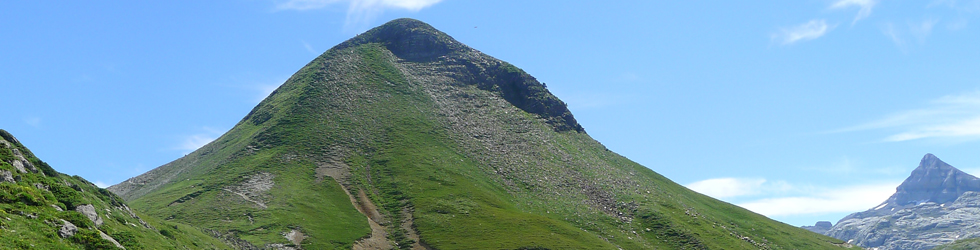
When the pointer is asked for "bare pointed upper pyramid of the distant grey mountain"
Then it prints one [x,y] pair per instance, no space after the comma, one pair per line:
[934,181]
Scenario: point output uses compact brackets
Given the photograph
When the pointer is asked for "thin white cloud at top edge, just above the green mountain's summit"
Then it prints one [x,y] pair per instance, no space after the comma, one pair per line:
[359,12]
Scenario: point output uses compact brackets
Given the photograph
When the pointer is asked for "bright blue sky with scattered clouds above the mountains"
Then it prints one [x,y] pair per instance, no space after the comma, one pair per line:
[799,110]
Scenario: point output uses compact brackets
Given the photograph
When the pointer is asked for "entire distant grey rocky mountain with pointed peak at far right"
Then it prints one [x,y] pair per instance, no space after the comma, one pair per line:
[937,204]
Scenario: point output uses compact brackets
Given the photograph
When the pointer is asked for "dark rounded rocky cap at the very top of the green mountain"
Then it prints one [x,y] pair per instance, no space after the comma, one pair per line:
[409,39]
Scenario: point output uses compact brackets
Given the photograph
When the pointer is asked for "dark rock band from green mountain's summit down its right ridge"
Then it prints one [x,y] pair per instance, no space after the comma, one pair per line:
[418,42]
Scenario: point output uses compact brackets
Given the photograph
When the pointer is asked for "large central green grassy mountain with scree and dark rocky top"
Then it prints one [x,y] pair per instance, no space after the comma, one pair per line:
[403,137]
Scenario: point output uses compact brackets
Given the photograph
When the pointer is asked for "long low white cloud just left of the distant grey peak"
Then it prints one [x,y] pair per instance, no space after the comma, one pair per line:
[847,199]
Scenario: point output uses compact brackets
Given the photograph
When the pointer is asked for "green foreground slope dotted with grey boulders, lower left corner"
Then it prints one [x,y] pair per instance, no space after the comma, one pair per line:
[37,202]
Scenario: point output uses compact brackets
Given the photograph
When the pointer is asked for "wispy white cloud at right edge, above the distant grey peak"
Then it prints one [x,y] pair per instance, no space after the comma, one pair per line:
[953,117]
